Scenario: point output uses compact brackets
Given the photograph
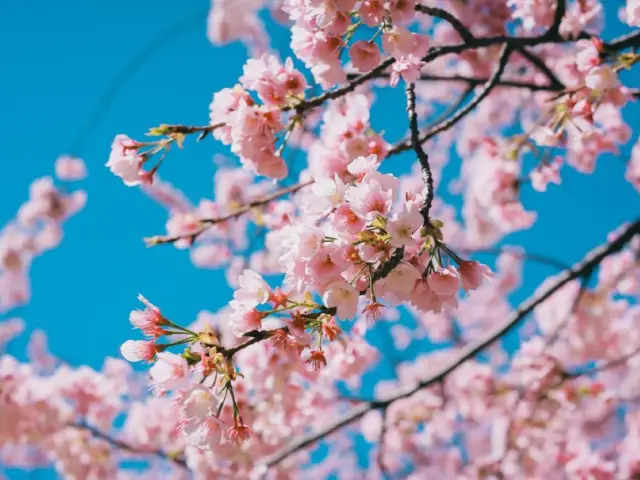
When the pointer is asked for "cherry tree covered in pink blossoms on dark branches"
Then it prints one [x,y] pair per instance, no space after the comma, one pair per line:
[320,254]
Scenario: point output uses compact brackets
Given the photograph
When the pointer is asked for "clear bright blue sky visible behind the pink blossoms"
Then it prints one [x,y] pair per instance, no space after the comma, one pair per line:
[57,59]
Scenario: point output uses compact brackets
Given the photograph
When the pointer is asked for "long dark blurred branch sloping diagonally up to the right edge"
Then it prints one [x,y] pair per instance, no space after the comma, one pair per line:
[588,264]
